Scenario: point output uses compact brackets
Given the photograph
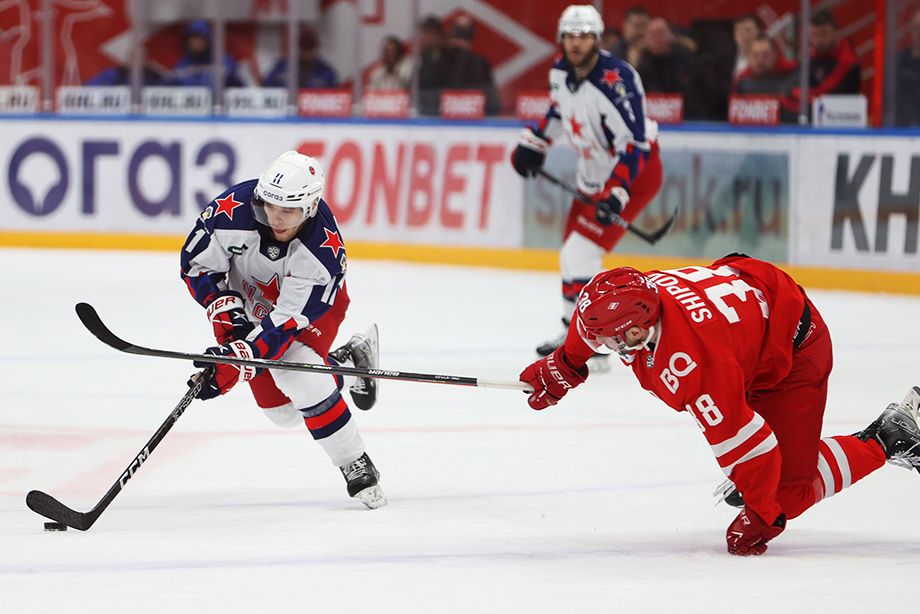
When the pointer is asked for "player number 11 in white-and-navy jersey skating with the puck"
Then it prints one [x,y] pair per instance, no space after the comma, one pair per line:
[267,262]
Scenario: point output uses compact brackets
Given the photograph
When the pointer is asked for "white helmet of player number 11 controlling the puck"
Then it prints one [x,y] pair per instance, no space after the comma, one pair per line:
[291,180]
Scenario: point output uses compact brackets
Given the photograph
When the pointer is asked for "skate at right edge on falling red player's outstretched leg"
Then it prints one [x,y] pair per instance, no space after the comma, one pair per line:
[897,431]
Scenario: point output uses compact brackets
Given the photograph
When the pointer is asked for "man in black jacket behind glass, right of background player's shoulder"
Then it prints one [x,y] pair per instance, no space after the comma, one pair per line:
[669,67]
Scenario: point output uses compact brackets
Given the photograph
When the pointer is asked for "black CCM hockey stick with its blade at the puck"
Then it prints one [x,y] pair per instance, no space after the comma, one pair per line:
[49,507]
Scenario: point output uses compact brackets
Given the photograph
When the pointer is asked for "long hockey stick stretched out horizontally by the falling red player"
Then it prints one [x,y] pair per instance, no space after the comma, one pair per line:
[94,324]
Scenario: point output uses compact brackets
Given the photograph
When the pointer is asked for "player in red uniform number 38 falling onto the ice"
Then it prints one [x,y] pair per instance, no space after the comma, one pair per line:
[740,346]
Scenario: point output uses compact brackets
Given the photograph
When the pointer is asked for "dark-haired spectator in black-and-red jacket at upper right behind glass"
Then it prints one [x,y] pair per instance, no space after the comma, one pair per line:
[834,68]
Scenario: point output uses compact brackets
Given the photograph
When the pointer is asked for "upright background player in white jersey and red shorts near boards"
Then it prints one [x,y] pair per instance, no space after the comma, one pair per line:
[598,102]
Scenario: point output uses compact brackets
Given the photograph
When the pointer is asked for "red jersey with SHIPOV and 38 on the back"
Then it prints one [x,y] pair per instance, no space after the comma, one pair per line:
[725,330]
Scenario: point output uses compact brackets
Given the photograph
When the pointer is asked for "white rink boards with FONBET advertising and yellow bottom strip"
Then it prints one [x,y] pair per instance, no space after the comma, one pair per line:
[840,208]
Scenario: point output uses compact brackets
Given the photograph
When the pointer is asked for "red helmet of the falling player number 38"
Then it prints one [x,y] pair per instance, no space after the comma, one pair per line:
[616,300]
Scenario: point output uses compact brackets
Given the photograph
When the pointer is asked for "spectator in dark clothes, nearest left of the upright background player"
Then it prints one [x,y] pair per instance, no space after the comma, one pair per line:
[466,69]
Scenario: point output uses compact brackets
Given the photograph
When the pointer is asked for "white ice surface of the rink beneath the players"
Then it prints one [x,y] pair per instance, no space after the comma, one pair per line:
[601,504]
